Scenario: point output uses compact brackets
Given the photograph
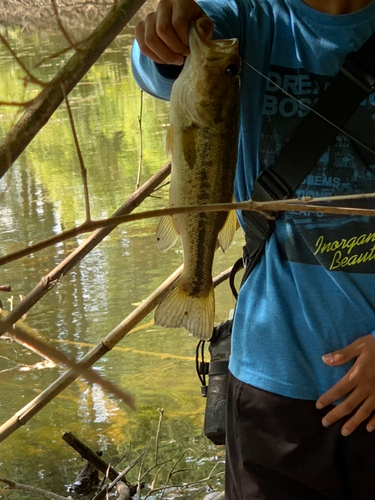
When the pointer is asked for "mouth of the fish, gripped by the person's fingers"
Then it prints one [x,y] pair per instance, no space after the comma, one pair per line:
[213,50]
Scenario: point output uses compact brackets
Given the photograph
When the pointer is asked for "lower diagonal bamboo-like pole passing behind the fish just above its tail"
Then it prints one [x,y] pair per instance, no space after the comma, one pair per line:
[27,412]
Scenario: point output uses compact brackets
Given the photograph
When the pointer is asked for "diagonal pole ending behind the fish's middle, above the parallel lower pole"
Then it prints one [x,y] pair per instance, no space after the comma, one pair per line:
[51,279]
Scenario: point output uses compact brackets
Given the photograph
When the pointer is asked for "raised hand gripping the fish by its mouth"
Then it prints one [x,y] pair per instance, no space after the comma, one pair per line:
[164,35]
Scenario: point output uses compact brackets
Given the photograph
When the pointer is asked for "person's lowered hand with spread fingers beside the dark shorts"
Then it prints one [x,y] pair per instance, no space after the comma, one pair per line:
[357,386]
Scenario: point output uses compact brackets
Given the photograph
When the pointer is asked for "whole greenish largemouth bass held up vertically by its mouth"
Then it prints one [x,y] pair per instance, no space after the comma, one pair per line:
[203,142]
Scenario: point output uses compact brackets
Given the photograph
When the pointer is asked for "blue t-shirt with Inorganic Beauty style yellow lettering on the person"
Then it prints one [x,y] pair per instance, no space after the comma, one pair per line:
[313,291]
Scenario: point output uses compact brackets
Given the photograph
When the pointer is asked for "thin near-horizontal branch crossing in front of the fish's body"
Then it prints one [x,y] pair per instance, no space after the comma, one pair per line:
[272,206]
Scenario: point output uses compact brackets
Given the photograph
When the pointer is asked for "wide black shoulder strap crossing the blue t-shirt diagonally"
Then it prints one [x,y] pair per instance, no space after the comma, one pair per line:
[354,82]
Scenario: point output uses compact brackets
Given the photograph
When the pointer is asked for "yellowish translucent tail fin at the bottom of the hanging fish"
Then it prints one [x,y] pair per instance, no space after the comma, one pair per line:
[196,314]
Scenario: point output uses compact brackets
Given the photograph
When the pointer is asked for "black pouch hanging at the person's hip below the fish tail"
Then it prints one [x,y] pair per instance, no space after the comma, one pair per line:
[217,388]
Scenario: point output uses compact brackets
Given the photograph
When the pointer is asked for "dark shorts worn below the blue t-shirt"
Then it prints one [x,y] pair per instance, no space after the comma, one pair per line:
[277,449]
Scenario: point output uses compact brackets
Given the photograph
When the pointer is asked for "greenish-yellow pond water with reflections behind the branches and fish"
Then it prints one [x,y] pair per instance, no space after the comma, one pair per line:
[43,195]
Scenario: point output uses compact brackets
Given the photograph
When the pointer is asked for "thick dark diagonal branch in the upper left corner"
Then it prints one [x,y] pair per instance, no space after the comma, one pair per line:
[49,99]
